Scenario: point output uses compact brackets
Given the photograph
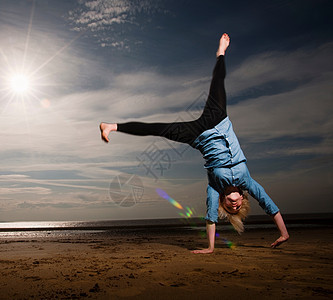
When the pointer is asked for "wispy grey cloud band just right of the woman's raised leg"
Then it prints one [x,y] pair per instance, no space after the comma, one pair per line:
[289,68]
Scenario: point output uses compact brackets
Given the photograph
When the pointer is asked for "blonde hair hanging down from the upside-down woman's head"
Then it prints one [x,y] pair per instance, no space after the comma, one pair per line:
[236,219]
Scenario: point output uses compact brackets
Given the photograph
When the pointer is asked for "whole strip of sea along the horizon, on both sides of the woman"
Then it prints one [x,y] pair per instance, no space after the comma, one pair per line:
[84,229]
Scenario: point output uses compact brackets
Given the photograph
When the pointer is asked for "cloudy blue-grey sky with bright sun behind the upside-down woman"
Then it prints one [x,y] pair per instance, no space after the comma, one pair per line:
[66,66]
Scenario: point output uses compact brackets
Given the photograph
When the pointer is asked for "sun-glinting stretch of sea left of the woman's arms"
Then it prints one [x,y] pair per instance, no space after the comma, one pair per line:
[84,229]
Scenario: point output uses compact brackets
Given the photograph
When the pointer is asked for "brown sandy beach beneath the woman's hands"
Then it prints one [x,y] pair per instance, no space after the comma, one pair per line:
[153,265]
